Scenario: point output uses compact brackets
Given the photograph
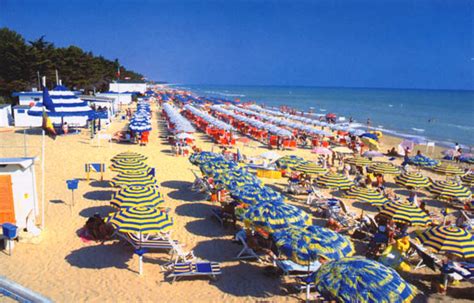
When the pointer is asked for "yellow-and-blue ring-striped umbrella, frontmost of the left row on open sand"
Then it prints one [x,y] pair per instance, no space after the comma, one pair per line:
[143,220]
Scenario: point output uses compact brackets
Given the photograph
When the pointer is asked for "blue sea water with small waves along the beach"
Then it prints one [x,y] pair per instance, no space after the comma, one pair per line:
[442,116]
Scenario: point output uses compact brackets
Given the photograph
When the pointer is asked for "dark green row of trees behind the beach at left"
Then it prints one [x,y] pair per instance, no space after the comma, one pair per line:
[20,62]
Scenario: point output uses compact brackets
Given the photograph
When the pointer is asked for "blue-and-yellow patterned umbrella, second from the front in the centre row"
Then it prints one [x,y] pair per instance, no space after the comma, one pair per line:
[306,244]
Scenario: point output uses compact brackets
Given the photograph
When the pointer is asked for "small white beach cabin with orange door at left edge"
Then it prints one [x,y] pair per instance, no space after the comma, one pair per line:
[18,198]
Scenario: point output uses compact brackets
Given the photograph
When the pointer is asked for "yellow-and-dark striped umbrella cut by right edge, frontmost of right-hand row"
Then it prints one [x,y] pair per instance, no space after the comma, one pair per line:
[449,239]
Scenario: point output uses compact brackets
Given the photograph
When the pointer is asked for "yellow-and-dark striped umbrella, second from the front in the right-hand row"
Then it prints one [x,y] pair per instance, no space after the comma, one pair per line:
[406,213]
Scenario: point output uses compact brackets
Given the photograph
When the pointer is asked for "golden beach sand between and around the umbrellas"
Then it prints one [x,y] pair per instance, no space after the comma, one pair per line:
[64,268]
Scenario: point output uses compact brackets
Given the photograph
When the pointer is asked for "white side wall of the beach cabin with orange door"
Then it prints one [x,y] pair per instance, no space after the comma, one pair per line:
[24,194]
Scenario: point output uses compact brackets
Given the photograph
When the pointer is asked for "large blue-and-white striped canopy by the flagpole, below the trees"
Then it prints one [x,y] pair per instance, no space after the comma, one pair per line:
[62,106]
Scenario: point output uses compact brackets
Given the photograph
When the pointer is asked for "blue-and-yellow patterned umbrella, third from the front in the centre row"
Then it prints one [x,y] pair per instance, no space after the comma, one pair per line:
[276,216]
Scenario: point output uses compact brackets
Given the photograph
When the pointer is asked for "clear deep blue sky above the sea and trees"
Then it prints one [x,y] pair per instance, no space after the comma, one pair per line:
[376,43]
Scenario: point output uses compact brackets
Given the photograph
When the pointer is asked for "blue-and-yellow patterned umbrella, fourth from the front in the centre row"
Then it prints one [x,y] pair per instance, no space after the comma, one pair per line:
[254,194]
